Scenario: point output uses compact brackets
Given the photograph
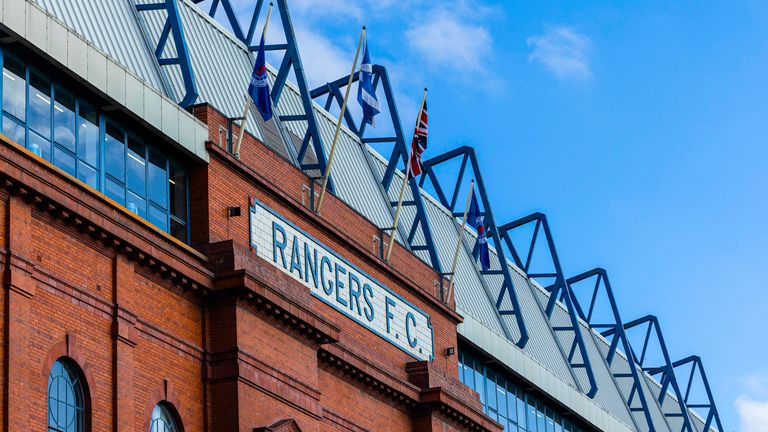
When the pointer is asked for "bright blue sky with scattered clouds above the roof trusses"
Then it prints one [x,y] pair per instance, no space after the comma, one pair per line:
[639,128]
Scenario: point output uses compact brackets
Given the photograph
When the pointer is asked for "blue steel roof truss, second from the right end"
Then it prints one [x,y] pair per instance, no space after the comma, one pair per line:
[666,370]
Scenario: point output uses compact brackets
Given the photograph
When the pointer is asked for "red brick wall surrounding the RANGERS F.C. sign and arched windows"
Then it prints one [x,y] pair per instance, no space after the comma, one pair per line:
[230,341]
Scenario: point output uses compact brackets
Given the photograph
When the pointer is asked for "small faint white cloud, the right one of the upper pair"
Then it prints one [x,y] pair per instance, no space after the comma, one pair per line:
[563,51]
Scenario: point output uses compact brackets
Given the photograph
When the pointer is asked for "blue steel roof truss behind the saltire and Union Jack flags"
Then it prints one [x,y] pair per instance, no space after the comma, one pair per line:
[333,91]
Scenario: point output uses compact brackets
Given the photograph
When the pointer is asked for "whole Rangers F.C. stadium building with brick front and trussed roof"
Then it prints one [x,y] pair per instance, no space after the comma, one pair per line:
[155,280]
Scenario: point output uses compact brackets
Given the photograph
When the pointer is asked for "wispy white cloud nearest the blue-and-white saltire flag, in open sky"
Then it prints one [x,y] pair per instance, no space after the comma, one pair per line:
[444,40]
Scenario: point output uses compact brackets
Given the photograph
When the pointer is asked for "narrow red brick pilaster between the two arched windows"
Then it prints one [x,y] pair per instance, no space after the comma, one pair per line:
[124,336]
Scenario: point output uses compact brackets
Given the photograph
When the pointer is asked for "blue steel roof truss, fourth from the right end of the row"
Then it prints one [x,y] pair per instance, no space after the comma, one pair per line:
[558,290]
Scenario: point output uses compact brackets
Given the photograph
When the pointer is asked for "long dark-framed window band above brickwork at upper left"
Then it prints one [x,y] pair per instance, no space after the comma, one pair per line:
[52,121]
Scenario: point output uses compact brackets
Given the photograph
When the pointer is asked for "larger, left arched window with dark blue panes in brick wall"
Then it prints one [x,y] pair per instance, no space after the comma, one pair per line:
[66,400]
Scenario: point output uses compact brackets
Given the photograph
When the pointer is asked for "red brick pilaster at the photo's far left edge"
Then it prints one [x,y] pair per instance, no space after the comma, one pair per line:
[20,288]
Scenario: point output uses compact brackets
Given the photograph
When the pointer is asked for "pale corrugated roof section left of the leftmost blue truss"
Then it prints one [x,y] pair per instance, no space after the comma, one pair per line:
[111,26]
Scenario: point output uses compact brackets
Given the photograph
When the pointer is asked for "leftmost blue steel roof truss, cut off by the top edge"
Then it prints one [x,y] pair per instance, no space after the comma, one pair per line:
[173,27]
